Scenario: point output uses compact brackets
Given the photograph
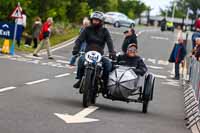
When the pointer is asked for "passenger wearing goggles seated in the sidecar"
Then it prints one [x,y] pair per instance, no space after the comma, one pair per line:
[131,59]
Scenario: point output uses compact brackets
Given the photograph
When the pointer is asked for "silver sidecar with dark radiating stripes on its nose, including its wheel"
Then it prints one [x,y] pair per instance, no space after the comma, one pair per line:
[125,85]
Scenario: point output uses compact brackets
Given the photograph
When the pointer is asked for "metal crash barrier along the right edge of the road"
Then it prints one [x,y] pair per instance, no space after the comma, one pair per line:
[191,87]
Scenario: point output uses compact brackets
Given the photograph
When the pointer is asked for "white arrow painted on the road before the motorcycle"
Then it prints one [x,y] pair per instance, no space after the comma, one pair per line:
[79,117]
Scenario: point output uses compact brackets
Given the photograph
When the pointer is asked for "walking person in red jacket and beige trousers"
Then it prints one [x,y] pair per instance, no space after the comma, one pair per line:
[44,37]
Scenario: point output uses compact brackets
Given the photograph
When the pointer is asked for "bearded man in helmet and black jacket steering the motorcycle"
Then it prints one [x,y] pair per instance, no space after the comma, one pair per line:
[95,36]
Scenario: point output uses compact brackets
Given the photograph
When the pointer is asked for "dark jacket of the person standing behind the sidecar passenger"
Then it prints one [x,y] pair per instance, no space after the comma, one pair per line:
[128,40]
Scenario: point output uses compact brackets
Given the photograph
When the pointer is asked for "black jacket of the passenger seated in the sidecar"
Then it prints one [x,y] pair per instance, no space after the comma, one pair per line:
[136,61]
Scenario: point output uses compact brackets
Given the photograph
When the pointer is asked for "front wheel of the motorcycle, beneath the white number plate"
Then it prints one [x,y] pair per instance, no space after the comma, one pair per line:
[87,89]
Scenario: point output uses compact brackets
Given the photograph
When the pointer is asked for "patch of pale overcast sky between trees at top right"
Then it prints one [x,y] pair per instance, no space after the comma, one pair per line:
[156,5]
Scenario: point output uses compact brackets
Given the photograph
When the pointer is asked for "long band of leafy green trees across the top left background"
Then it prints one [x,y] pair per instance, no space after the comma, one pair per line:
[69,10]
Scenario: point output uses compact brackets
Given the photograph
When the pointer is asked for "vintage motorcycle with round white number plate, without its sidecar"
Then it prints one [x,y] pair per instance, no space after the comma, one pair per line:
[92,83]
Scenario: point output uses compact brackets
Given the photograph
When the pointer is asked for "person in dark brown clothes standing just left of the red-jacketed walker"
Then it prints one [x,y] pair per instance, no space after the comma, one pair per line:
[36,31]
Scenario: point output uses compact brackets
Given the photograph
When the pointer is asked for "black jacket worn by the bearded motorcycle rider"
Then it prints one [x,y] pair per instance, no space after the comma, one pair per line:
[95,39]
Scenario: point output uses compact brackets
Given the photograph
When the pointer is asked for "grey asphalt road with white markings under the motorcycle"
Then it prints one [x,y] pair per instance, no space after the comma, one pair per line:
[32,90]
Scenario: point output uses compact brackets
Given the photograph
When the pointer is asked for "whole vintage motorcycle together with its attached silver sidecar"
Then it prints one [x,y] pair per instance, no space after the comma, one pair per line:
[123,85]
